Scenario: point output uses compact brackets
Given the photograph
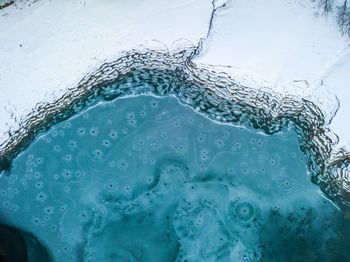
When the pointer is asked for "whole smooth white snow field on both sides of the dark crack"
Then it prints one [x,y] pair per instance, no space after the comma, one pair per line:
[46,47]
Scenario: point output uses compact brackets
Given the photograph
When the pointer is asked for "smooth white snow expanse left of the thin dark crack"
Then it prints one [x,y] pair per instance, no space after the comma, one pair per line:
[48,46]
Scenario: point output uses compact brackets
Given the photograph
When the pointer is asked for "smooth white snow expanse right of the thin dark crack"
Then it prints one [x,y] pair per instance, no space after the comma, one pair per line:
[287,45]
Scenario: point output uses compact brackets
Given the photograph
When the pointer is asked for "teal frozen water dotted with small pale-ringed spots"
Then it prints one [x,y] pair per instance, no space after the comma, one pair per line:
[148,179]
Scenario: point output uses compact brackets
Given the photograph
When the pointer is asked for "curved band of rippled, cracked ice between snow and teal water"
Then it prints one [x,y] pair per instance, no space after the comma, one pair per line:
[212,93]
